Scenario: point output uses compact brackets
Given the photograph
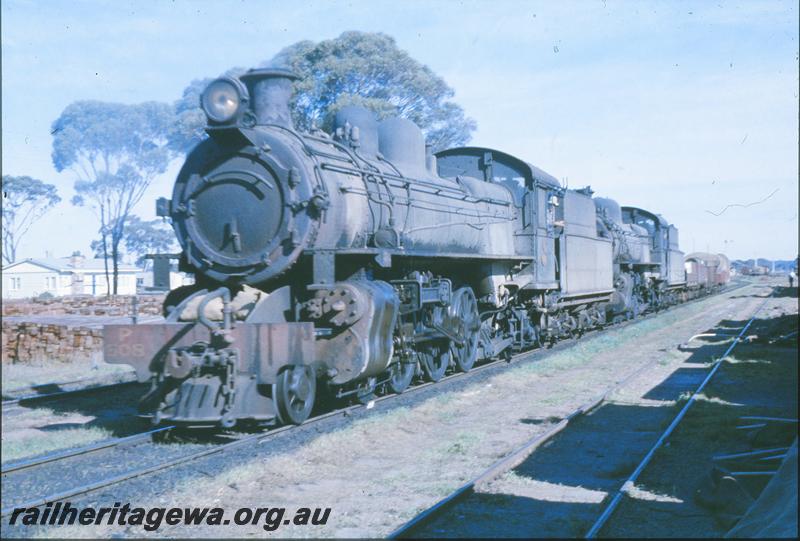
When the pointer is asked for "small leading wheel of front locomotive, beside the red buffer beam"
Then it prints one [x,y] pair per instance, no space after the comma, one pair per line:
[294,394]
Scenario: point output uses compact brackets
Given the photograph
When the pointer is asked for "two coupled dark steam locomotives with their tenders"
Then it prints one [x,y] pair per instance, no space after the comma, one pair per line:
[357,261]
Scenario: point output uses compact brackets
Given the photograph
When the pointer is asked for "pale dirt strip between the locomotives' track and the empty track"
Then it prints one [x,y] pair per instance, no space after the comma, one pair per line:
[378,472]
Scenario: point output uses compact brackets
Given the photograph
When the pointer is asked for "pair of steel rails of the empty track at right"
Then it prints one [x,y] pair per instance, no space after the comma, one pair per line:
[507,463]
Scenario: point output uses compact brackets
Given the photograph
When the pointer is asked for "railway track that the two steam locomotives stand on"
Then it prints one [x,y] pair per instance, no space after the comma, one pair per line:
[14,473]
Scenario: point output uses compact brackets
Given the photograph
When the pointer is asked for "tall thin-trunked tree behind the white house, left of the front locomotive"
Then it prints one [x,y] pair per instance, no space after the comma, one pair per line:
[115,150]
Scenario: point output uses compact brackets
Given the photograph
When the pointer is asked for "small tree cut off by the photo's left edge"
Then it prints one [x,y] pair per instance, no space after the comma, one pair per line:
[25,200]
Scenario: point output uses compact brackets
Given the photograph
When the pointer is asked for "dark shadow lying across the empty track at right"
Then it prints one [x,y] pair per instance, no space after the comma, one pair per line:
[561,489]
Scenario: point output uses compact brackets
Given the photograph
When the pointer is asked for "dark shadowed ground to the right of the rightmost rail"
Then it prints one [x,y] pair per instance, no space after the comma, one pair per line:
[762,381]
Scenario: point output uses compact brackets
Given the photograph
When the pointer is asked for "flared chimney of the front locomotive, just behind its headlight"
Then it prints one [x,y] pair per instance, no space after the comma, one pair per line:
[270,90]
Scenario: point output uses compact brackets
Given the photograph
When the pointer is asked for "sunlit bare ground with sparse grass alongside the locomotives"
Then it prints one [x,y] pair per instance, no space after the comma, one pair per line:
[361,470]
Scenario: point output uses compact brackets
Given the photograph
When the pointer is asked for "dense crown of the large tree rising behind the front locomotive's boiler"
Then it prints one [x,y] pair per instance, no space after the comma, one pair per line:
[356,68]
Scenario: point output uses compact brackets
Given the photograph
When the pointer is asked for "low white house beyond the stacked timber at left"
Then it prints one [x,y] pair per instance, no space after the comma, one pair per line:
[74,275]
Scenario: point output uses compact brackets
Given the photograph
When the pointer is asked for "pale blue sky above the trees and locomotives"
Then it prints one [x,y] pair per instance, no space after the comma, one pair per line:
[680,107]
